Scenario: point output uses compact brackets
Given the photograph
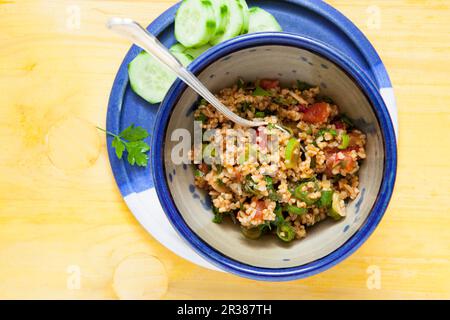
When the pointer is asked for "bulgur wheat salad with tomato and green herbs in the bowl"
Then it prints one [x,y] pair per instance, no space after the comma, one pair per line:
[314,173]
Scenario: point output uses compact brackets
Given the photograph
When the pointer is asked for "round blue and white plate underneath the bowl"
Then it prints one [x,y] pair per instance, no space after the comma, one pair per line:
[313,19]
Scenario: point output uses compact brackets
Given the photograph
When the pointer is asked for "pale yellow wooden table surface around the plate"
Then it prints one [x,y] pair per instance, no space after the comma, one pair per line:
[65,231]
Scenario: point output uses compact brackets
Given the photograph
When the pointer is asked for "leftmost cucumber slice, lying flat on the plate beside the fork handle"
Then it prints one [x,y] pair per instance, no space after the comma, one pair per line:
[149,78]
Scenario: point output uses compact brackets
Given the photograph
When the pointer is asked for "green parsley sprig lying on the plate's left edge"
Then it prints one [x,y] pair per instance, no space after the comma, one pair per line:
[132,141]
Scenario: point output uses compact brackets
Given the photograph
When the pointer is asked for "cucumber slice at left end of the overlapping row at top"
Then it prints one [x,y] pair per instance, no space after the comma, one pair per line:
[195,23]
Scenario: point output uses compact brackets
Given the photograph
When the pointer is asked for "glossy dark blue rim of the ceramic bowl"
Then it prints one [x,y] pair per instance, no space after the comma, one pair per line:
[384,194]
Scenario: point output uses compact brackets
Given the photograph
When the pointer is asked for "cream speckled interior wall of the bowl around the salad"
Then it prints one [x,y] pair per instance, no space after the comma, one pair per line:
[287,64]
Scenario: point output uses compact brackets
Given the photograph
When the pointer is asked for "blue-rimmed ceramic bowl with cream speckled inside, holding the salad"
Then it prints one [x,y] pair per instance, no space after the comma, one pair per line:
[287,57]
